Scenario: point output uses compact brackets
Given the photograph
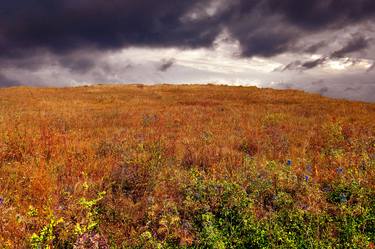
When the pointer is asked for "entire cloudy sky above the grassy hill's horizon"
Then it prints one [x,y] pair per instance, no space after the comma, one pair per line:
[321,46]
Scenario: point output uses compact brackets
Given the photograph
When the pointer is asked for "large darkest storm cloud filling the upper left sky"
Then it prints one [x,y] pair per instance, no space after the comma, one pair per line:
[65,25]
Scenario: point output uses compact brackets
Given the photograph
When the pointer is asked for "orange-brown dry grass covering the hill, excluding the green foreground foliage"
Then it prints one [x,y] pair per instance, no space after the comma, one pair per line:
[139,144]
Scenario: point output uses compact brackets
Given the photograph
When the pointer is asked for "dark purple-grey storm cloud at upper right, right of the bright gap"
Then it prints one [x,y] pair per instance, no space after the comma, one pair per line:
[278,25]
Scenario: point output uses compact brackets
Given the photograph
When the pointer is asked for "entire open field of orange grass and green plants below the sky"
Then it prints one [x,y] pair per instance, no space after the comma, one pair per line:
[185,166]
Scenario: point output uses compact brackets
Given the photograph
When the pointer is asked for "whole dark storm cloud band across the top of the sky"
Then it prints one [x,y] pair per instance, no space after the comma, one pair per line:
[265,27]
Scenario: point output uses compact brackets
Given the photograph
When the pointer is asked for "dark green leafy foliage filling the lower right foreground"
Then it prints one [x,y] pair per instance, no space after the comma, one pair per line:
[222,216]
